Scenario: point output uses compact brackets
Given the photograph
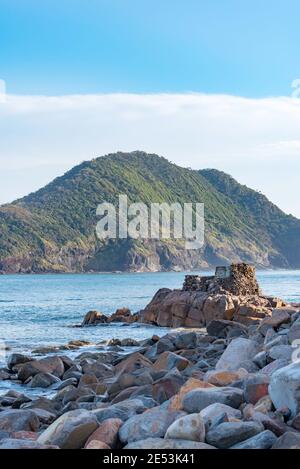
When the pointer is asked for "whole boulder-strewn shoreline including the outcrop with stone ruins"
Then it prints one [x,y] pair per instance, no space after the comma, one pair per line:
[234,385]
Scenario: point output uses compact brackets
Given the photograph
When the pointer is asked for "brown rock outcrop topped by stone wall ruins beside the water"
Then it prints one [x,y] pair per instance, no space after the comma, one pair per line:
[232,294]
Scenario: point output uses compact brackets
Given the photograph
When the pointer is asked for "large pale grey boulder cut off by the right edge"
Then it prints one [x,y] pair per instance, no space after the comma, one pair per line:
[284,388]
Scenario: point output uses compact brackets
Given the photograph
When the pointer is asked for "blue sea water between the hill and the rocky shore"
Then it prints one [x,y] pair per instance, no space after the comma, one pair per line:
[40,310]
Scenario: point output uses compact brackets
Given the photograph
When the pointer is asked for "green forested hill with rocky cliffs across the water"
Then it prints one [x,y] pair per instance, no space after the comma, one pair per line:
[53,229]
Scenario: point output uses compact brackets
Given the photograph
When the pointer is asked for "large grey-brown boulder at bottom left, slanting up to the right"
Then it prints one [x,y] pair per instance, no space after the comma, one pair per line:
[71,430]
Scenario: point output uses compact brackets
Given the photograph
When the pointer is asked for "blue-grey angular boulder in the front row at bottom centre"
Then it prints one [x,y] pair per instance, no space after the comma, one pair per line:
[153,423]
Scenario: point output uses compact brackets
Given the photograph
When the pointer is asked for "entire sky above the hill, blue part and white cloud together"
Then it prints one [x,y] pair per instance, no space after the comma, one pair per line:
[203,83]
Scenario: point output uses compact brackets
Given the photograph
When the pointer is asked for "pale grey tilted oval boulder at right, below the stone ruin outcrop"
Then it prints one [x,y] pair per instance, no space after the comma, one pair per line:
[238,351]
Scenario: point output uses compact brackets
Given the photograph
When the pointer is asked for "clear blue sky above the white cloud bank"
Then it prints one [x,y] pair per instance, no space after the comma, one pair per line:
[246,48]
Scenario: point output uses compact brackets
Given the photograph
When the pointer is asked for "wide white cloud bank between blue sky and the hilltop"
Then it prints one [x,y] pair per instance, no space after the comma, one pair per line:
[255,140]
